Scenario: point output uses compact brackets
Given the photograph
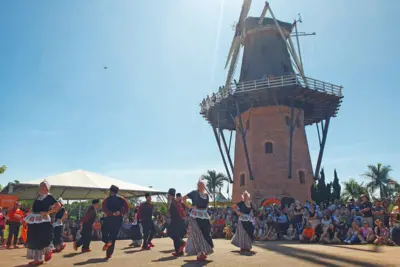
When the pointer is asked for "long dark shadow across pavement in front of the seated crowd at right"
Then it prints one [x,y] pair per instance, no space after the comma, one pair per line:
[315,257]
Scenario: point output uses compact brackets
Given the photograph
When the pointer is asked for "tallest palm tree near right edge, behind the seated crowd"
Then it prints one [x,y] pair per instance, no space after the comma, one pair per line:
[379,176]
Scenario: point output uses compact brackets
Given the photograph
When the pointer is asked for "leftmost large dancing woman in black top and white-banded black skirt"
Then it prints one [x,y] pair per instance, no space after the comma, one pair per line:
[40,230]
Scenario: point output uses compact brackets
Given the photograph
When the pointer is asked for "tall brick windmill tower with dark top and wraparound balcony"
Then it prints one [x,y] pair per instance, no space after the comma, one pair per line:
[269,108]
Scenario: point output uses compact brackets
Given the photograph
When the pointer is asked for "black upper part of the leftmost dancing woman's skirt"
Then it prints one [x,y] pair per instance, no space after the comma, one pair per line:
[40,235]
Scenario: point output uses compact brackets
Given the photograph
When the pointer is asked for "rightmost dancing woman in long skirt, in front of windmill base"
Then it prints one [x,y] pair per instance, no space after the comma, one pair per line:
[244,235]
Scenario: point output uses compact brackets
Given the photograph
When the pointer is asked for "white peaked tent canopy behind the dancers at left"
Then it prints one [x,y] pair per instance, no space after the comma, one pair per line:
[77,185]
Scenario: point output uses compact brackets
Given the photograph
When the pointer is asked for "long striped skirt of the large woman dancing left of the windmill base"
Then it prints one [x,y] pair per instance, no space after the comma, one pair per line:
[196,242]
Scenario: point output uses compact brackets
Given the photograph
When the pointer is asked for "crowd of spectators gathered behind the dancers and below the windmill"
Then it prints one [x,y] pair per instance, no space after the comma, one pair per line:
[358,221]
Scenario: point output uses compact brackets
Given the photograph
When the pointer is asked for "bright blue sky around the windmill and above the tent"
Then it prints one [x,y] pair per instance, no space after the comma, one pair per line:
[139,119]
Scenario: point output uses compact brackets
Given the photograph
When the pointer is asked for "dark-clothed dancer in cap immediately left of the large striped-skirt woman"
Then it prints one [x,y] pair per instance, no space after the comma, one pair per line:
[176,229]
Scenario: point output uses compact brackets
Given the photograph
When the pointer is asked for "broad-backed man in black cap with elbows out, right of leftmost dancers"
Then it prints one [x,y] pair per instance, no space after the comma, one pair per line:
[115,207]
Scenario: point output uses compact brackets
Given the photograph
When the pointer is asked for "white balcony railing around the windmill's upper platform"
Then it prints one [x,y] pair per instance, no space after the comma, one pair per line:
[267,83]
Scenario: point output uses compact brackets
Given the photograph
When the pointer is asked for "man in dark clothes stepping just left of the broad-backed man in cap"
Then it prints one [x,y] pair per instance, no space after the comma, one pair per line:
[87,227]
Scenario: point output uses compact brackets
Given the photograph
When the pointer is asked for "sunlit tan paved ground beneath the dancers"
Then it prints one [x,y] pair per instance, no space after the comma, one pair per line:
[274,254]
